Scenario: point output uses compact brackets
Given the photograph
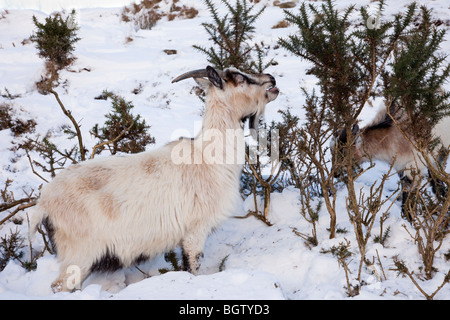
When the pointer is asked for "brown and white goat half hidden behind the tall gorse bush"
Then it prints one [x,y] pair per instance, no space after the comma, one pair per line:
[383,140]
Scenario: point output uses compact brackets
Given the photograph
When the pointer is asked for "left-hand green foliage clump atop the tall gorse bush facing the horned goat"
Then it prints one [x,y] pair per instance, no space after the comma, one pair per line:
[324,41]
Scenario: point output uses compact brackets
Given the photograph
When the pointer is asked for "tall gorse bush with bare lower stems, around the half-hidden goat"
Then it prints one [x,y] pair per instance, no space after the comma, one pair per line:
[396,60]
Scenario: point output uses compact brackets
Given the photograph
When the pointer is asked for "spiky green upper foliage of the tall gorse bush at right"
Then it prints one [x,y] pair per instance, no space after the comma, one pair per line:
[397,59]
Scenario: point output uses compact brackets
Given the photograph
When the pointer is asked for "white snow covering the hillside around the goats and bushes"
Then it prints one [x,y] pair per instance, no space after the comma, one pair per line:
[244,258]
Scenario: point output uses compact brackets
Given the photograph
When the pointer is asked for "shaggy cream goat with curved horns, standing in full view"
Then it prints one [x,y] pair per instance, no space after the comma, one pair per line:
[113,212]
